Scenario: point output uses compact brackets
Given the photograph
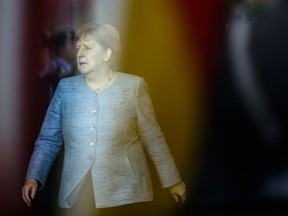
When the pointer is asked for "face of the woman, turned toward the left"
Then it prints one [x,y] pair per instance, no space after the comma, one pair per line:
[90,55]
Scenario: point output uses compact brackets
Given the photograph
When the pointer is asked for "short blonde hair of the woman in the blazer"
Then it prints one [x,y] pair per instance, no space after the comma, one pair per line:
[106,35]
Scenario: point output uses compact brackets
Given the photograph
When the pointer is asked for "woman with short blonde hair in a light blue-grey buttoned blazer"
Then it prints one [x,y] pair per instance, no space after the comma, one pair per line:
[105,118]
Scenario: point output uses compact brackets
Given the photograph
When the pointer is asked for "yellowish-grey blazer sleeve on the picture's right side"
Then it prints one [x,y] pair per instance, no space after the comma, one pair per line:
[153,138]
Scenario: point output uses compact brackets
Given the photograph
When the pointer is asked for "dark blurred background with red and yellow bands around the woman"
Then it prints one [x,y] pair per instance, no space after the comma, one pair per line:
[217,71]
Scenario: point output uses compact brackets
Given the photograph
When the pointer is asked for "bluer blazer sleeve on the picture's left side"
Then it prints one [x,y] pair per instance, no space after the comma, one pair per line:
[48,143]
